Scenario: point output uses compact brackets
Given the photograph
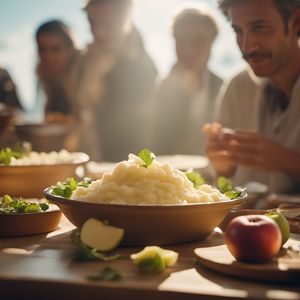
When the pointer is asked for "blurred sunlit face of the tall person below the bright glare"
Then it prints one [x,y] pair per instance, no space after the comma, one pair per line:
[108,26]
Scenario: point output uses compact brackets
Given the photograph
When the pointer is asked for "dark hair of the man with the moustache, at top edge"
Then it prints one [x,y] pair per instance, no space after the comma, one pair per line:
[285,7]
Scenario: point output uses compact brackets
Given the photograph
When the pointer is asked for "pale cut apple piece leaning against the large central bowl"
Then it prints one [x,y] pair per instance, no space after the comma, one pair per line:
[96,234]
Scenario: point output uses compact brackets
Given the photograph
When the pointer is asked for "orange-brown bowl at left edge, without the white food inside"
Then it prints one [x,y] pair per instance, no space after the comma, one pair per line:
[30,181]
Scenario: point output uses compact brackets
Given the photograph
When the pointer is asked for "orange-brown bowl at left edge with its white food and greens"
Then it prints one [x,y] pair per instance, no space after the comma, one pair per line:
[27,174]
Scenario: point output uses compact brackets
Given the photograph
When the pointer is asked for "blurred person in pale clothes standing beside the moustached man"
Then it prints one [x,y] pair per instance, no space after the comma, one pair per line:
[185,99]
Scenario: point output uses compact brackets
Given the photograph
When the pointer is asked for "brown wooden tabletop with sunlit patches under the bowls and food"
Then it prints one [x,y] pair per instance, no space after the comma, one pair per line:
[41,267]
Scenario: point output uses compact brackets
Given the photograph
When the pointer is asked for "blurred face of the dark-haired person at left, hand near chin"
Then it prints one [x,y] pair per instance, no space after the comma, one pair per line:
[54,52]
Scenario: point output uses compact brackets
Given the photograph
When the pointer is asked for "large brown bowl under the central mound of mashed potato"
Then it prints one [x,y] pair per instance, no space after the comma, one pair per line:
[150,224]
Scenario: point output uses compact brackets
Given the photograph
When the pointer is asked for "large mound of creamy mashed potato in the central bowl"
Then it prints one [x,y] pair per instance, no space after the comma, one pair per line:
[132,183]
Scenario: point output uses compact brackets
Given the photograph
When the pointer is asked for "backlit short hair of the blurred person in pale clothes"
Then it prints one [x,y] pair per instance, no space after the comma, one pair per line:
[195,15]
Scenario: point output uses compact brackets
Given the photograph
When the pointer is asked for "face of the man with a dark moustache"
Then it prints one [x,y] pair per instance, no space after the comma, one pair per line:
[265,42]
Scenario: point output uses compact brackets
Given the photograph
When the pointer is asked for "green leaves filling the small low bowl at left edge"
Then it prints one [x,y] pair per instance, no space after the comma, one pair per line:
[10,205]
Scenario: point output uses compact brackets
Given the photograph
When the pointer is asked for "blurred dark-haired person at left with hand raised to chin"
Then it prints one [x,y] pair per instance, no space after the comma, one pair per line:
[58,58]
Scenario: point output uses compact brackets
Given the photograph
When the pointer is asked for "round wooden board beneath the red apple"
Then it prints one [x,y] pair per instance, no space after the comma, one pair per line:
[284,268]
